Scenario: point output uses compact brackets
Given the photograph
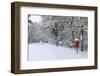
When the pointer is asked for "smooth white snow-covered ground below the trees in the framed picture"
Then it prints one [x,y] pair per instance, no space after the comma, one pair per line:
[43,51]
